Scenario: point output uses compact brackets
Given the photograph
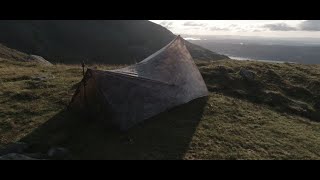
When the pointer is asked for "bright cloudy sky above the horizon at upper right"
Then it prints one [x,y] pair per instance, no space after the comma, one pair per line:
[262,28]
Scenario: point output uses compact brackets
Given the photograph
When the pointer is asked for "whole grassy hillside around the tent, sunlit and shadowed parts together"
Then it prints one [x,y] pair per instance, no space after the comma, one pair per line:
[239,120]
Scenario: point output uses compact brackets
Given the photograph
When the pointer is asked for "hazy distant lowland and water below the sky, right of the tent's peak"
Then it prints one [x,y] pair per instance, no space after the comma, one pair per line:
[263,50]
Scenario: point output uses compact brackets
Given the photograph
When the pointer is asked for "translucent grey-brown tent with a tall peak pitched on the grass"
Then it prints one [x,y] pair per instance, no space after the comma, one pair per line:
[130,95]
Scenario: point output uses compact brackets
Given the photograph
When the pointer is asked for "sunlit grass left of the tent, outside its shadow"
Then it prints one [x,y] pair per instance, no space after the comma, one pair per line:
[27,103]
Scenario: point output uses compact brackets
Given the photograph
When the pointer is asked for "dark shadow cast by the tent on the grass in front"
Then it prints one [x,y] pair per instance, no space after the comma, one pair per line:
[166,136]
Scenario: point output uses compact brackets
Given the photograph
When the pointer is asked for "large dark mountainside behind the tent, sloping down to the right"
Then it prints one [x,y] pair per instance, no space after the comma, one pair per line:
[99,41]
